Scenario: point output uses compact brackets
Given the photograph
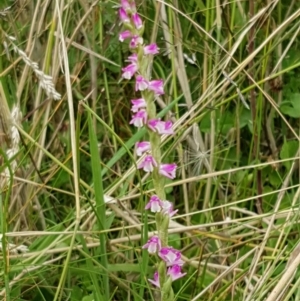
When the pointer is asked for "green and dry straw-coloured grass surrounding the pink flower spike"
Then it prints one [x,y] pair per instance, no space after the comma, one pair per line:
[231,72]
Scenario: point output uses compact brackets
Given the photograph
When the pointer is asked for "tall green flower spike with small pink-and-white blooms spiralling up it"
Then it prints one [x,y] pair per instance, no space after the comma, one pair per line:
[169,260]
